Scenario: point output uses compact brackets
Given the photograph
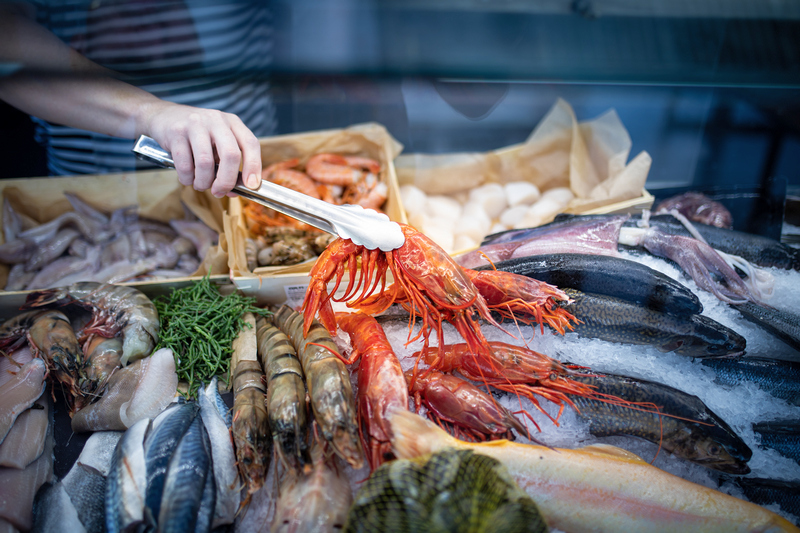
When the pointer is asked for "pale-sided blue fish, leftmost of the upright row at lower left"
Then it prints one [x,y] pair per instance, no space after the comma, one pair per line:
[127,479]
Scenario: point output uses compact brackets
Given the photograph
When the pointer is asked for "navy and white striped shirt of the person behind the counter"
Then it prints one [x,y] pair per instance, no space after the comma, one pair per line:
[204,53]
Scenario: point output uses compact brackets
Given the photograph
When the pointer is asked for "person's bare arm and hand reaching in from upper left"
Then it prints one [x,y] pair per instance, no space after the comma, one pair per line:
[58,84]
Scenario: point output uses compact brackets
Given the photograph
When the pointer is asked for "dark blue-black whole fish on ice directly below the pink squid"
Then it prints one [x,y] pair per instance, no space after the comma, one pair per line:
[610,276]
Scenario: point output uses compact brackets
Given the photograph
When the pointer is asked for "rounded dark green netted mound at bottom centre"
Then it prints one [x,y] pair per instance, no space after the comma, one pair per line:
[409,495]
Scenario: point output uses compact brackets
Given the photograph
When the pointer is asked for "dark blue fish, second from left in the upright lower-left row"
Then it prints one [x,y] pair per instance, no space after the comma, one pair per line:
[168,429]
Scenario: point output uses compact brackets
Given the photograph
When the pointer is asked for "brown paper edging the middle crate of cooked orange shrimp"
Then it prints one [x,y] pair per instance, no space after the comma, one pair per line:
[369,140]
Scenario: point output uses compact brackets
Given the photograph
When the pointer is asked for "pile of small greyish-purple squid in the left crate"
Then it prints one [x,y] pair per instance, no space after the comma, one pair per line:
[89,245]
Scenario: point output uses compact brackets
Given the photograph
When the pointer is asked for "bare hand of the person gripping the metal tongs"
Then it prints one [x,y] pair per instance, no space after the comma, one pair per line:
[199,139]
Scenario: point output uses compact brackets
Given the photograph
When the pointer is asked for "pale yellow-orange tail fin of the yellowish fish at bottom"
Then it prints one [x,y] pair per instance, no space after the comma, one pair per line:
[413,435]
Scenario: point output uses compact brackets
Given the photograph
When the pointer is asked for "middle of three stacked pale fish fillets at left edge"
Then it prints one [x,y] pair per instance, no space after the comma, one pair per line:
[25,441]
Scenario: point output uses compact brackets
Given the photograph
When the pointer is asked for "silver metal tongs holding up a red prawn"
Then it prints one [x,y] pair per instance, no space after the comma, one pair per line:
[364,227]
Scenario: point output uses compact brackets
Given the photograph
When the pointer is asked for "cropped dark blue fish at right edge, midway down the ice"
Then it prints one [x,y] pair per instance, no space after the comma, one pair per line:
[779,378]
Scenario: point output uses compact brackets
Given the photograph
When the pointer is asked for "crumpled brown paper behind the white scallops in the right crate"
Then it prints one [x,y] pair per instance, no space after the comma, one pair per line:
[588,157]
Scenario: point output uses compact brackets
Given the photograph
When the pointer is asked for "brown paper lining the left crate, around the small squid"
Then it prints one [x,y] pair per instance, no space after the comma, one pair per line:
[158,194]
